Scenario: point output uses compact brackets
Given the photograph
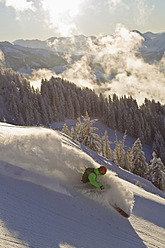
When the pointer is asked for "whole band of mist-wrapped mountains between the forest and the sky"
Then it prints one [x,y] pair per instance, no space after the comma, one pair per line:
[126,63]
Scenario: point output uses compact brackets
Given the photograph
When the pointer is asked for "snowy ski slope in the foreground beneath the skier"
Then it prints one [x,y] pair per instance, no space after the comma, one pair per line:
[40,170]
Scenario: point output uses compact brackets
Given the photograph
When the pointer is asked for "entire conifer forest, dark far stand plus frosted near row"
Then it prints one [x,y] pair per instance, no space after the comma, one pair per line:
[57,99]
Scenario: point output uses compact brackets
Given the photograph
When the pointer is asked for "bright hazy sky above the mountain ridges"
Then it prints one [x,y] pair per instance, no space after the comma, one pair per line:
[41,19]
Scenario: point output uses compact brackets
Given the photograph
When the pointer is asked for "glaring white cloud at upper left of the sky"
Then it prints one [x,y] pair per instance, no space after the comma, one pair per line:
[56,15]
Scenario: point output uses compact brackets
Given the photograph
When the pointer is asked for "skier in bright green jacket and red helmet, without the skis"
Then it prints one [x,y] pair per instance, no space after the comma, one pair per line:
[92,175]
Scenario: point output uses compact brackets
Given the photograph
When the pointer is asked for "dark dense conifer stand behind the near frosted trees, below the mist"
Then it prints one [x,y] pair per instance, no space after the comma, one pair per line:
[59,99]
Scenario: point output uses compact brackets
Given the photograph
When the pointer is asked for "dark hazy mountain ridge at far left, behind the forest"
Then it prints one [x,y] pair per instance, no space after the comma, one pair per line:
[25,59]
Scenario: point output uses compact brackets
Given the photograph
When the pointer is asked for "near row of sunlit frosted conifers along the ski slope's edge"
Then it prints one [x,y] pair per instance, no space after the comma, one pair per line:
[131,159]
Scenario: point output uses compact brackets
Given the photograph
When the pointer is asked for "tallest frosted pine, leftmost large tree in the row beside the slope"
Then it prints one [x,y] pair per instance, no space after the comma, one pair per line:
[85,134]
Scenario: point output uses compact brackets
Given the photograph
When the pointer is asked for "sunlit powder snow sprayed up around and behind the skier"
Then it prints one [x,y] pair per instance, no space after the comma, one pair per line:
[51,159]
